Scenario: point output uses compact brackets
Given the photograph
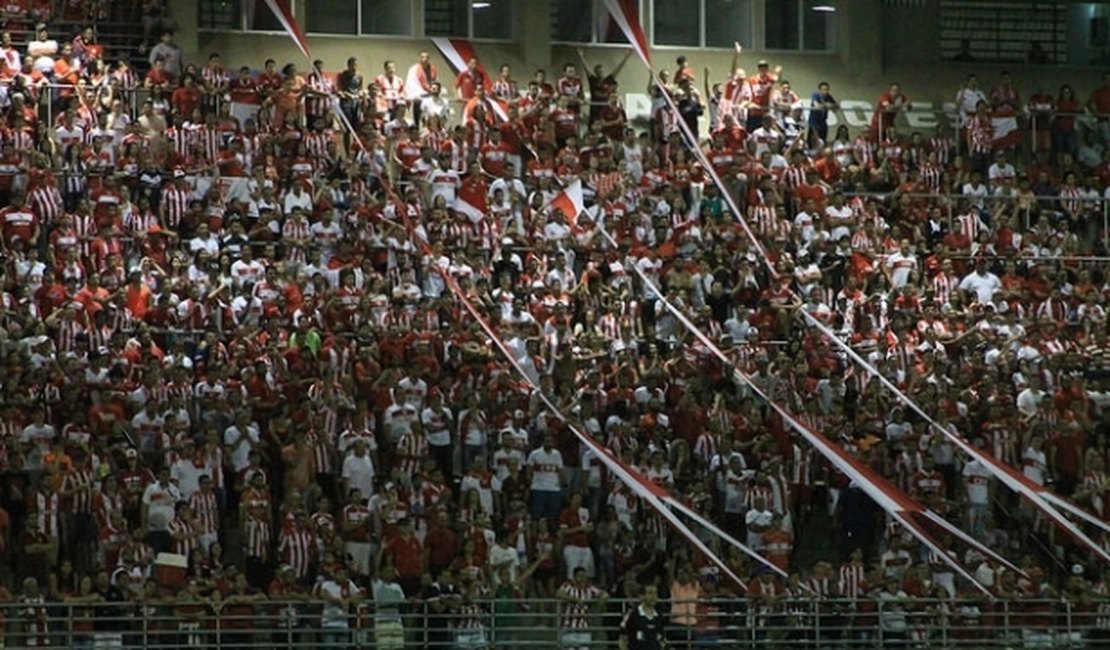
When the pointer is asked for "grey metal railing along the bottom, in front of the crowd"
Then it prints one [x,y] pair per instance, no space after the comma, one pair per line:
[511,623]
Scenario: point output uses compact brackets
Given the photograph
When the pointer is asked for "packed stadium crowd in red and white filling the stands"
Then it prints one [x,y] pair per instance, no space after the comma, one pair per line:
[226,334]
